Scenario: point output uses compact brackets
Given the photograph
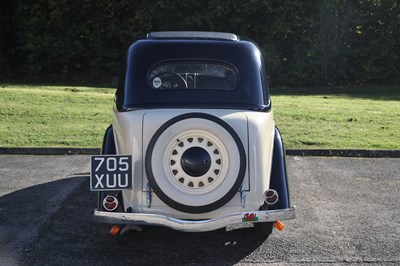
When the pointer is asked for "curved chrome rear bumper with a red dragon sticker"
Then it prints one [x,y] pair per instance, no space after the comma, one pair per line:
[194,225]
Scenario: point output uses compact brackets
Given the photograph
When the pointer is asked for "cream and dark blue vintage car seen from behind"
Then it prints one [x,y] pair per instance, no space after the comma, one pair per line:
[192,145]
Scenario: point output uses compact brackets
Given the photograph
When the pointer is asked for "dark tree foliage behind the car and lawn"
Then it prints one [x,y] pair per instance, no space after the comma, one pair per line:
[304,42]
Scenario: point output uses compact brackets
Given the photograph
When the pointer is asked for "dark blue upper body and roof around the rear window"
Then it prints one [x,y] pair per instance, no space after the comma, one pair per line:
[134,90]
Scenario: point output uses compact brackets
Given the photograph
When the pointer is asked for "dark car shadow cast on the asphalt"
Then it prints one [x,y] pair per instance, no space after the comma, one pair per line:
[70,236]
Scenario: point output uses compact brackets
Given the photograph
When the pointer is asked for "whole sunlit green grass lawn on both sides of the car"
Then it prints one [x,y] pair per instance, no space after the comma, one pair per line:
[333,117]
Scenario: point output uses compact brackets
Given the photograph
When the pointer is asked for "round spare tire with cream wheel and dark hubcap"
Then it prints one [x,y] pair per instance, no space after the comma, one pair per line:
[195,163]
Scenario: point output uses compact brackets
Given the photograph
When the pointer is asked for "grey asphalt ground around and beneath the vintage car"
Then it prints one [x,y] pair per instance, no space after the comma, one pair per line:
[348,212]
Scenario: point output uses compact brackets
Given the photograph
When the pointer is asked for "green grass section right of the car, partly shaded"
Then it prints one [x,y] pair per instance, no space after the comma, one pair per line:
[341,117]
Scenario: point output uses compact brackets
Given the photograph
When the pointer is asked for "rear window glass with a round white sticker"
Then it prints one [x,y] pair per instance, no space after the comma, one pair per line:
[193,75]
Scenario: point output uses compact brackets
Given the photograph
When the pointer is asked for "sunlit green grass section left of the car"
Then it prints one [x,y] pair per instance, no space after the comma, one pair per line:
[50,116]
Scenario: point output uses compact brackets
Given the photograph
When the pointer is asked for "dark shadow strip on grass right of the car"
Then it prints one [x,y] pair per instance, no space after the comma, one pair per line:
[390,93]
